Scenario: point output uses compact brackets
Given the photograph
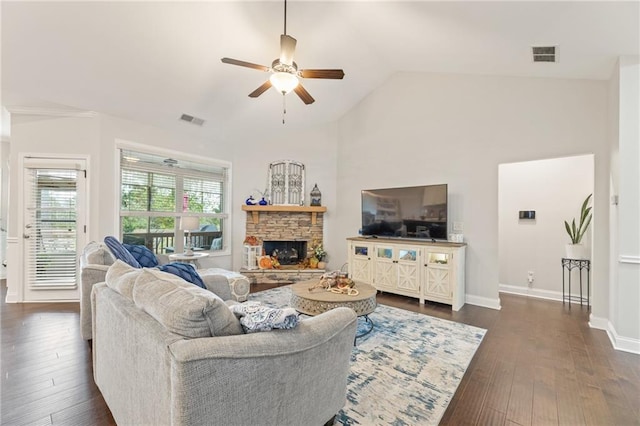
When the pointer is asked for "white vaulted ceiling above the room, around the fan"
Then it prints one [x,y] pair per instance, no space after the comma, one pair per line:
[153,61]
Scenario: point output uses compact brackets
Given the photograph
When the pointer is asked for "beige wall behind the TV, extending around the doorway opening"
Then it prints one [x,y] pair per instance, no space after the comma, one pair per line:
[441,128]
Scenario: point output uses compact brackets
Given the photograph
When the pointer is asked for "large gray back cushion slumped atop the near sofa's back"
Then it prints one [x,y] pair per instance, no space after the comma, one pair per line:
[183,308]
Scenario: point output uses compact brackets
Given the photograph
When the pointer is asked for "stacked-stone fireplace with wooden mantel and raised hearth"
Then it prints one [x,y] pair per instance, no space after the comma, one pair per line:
[289,230]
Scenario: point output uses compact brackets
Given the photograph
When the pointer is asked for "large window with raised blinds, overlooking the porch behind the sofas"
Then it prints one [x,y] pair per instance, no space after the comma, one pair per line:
[157,191]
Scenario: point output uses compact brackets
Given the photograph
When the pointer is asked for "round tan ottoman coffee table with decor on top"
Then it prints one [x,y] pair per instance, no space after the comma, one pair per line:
[319,300]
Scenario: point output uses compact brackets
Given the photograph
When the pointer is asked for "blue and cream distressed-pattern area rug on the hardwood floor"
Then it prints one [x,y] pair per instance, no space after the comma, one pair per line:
[406,371]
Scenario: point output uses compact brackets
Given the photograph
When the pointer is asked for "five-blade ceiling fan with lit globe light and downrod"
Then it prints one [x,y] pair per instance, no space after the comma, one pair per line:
[284,71]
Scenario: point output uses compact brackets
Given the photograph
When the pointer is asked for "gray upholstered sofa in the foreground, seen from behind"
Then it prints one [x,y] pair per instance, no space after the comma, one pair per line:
[166,352]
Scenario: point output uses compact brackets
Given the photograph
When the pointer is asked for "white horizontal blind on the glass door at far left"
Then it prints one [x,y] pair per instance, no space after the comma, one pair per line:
[51,228]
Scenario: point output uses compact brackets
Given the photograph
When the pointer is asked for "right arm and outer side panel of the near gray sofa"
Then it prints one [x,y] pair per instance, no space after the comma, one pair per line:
[300,374]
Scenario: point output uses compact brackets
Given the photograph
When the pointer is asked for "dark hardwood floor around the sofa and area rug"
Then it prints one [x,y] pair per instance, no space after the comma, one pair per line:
[539,364]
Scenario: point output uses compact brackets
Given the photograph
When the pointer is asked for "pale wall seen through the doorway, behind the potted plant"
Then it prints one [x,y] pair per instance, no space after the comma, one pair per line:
[530,248]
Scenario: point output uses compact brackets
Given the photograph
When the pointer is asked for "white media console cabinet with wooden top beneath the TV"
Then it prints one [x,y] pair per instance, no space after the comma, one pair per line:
[426,270]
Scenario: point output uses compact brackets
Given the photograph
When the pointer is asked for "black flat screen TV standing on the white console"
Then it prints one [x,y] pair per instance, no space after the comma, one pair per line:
[409,212]
